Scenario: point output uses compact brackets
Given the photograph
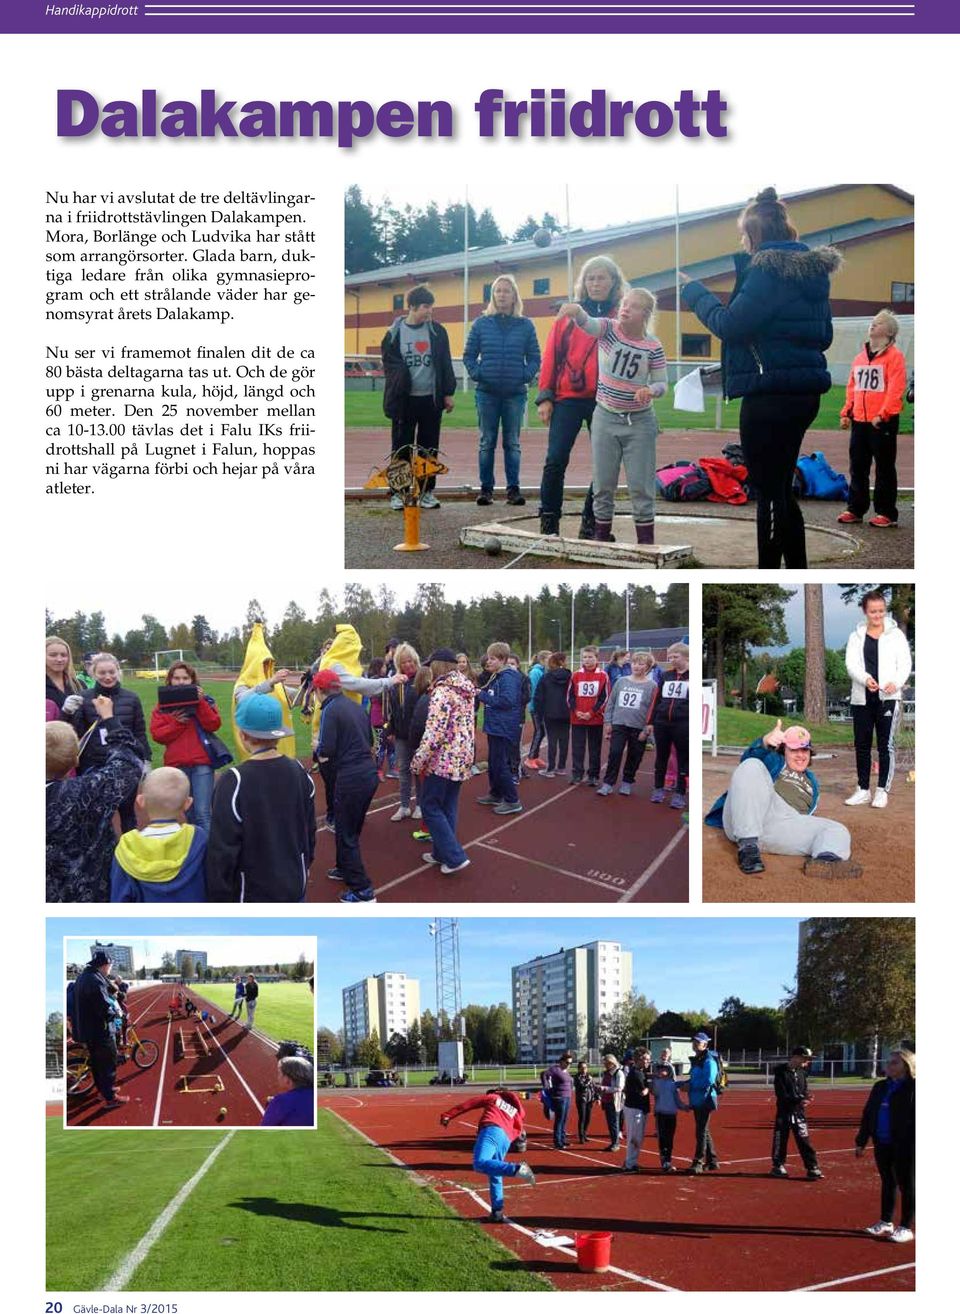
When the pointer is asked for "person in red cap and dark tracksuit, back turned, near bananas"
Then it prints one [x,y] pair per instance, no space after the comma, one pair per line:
[345,740]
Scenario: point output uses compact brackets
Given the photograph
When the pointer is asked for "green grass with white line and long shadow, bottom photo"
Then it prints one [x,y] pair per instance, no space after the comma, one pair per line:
[296,1211]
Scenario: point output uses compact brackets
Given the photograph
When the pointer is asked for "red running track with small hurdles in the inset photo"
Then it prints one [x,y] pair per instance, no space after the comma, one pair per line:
[244,1061]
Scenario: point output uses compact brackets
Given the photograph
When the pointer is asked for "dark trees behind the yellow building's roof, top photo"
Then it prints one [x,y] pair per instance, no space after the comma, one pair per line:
[379,235]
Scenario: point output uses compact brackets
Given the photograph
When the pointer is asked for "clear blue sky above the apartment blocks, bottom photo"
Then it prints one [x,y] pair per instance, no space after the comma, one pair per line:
[681,963]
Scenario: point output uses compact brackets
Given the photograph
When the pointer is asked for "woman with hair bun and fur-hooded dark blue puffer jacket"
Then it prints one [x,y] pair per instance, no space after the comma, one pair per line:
[774,333]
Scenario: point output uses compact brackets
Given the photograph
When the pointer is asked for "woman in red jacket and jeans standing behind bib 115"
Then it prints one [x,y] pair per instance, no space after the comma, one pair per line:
[568,387]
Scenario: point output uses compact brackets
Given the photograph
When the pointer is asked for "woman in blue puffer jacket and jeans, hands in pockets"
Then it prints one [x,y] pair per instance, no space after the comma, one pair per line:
[502,357]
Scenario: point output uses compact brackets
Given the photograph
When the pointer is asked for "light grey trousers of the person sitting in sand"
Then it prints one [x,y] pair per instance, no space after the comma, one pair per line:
[753,809]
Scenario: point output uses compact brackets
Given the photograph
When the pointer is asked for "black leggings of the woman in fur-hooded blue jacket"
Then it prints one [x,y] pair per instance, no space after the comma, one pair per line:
[772,430]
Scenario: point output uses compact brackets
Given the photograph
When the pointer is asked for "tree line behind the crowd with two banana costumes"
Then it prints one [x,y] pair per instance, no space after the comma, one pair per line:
[429,621]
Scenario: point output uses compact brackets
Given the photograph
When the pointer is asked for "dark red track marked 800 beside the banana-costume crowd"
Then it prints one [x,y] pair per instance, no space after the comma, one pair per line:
[567,847]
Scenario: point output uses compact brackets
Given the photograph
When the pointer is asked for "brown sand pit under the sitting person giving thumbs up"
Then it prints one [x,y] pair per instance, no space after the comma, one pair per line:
[883,844]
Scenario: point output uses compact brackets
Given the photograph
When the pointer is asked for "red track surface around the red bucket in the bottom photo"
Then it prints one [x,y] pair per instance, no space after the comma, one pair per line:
[733,1231]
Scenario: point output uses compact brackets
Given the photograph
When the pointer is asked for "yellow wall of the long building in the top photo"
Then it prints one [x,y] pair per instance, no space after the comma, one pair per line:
[869,271]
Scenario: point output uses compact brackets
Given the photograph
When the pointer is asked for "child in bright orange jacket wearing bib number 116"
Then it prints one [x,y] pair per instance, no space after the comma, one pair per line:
[875,399]
